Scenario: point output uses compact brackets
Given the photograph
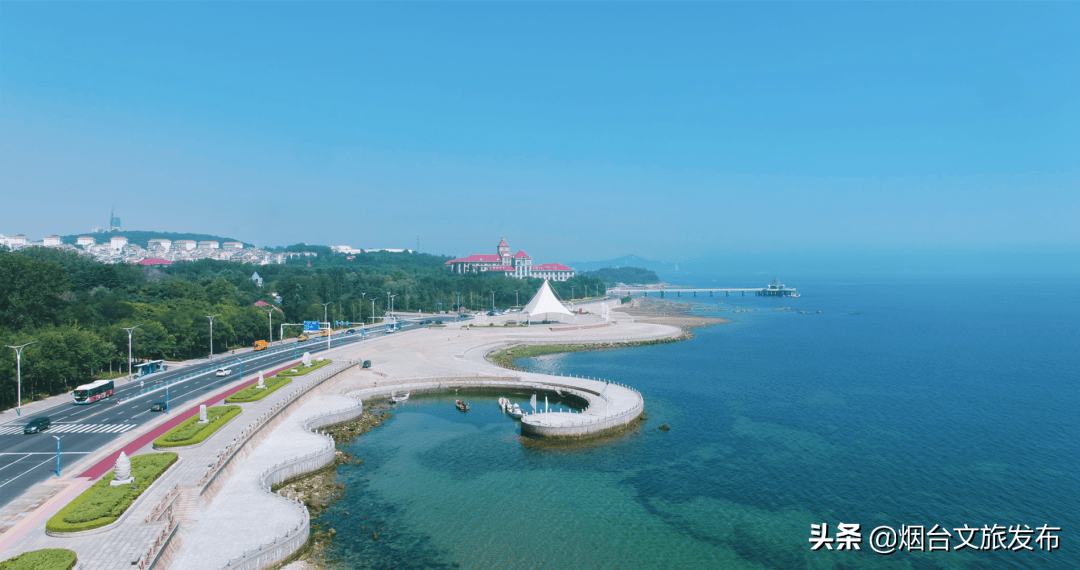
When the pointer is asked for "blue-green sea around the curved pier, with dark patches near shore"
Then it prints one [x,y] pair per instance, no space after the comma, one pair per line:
[894,424]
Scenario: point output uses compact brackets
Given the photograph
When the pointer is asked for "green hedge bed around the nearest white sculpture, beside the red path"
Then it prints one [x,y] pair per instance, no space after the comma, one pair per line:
[103,505]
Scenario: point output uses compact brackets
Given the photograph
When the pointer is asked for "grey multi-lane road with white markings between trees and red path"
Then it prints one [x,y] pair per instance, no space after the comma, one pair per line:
[88,430]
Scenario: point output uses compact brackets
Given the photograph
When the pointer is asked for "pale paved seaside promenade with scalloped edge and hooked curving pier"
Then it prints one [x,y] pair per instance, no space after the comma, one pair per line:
[214,510]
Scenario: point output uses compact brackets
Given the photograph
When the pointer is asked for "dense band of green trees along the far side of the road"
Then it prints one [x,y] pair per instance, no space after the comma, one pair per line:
[77,309]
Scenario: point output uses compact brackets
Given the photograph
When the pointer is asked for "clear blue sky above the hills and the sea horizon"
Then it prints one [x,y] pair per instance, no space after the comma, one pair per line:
[577,131]
